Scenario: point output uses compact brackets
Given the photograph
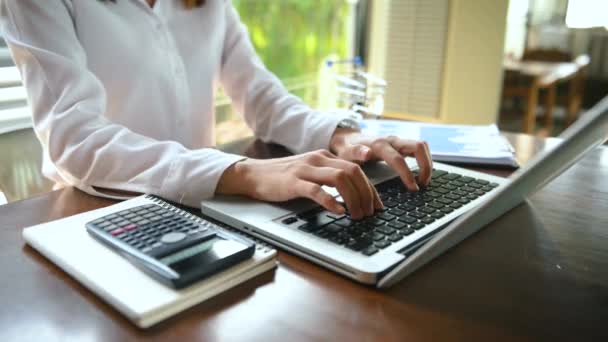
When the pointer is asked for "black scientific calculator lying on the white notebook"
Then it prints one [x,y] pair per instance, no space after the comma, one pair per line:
[170,245]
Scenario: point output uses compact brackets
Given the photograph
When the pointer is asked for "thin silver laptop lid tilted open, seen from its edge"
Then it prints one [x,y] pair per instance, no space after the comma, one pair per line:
[585,134]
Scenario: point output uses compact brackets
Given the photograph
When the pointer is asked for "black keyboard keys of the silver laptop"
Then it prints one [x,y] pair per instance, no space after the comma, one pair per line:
[404,212]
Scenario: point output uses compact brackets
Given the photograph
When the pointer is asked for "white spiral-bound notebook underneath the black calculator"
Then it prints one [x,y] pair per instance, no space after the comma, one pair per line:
[139,297]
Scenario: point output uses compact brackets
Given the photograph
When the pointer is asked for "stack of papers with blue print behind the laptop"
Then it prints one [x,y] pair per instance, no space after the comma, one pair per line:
[451,143]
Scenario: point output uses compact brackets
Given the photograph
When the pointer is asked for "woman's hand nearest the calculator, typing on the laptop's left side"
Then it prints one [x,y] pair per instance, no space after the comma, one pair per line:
[302,175]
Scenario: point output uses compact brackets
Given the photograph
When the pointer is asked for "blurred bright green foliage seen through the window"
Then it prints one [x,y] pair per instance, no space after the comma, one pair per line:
[293,37]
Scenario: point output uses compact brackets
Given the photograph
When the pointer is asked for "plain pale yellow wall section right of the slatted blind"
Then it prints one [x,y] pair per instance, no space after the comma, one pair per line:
[472,74]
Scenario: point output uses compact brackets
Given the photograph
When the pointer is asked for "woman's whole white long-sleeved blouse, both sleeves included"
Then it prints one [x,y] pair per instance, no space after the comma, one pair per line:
[122,94]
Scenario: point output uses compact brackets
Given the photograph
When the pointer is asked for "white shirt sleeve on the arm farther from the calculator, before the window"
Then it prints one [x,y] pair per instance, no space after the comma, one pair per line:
[268,108]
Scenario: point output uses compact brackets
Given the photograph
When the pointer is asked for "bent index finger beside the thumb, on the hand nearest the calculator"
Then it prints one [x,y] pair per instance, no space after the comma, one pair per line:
[337,178]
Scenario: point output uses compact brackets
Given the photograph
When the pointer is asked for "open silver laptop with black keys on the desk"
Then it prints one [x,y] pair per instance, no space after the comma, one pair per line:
[415,227]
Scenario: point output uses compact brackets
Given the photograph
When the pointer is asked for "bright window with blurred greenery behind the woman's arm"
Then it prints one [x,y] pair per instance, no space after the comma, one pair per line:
[293,38]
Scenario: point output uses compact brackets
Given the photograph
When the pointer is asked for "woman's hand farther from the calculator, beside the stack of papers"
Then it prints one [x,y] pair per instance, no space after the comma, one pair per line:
[353,146]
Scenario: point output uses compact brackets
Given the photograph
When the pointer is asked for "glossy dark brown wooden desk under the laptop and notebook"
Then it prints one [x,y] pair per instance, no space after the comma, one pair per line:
[539,272]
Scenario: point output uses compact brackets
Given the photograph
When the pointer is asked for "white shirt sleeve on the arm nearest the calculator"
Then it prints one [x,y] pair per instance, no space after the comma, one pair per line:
[68,102]
